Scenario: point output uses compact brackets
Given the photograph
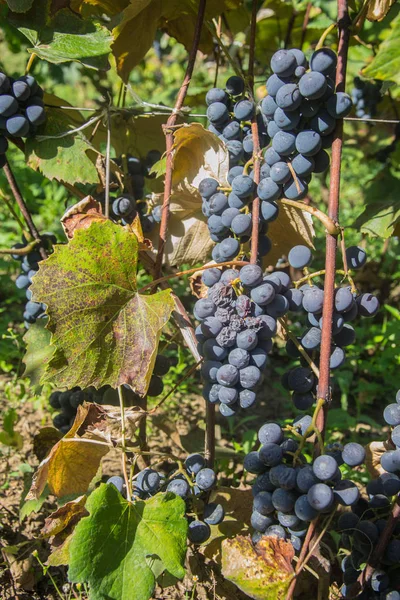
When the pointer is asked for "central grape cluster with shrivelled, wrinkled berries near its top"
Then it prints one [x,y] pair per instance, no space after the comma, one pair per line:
[238,320]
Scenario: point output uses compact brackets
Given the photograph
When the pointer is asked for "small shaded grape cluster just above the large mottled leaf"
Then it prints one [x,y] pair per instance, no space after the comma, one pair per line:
[125,207]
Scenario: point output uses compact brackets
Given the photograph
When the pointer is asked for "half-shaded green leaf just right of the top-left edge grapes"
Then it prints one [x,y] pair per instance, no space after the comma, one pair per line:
[65,158]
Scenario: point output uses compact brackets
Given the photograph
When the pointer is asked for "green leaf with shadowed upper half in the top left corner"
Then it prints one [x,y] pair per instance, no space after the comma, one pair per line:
[63,36]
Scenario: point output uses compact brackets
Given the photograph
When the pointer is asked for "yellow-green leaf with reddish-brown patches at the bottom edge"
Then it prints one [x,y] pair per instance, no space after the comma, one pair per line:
[262,571]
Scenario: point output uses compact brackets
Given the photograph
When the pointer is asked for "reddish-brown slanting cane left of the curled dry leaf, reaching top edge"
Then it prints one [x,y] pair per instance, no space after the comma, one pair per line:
[169,138]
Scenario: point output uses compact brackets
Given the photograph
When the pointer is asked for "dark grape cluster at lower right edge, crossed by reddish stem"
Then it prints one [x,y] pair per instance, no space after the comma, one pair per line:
[362,528]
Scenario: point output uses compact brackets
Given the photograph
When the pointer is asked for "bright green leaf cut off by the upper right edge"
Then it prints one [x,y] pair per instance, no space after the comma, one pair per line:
[386,63]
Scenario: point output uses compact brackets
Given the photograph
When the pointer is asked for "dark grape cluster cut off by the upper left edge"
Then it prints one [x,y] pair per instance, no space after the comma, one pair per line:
[21,109]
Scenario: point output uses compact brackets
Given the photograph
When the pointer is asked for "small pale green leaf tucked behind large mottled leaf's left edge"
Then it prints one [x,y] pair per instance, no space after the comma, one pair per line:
[38,351]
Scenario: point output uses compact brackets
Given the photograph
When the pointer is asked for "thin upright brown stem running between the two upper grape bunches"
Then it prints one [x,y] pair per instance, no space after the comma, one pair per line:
[255,208]
